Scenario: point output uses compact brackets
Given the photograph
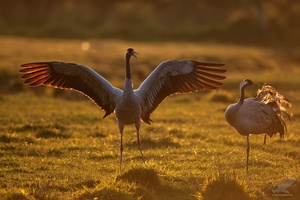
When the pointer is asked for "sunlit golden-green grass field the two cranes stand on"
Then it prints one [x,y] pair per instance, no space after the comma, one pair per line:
[55,144]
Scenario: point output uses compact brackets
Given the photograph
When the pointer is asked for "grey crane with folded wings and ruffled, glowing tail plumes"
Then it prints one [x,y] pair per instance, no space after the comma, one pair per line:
[264,114]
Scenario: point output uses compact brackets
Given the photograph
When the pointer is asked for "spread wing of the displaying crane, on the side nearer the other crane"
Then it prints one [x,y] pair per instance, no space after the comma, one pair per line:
[175,77]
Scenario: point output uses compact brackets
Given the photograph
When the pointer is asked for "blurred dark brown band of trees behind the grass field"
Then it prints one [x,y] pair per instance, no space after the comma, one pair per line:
[236,21]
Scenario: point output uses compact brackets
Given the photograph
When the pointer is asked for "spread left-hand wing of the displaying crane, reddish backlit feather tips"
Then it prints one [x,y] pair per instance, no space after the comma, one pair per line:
[73,76]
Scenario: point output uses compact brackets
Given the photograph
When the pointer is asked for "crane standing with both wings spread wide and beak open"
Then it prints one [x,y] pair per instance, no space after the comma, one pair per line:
[130,105]
